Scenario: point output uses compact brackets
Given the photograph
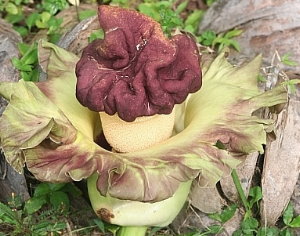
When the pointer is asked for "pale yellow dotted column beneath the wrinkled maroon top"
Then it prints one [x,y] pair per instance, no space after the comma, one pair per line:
[142,133]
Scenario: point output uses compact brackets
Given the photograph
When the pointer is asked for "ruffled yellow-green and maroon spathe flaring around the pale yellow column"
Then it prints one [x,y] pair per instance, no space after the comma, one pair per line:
[46,127]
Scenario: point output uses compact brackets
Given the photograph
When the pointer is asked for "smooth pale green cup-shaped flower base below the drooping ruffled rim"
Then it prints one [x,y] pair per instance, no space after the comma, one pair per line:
[133,213]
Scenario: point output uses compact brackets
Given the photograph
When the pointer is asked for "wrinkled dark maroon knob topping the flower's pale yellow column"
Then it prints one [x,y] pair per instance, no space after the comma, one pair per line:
[135,70]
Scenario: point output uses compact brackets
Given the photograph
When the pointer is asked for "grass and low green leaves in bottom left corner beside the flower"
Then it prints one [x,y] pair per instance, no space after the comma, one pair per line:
[52,210]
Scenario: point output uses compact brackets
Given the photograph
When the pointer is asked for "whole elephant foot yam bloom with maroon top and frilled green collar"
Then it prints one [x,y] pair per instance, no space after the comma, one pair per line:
[134,77]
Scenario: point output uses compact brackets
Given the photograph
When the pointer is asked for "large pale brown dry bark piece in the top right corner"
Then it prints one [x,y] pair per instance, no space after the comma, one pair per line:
[268,26]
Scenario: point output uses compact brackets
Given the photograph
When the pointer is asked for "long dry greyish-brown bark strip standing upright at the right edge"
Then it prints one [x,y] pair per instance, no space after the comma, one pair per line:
[282,162]
